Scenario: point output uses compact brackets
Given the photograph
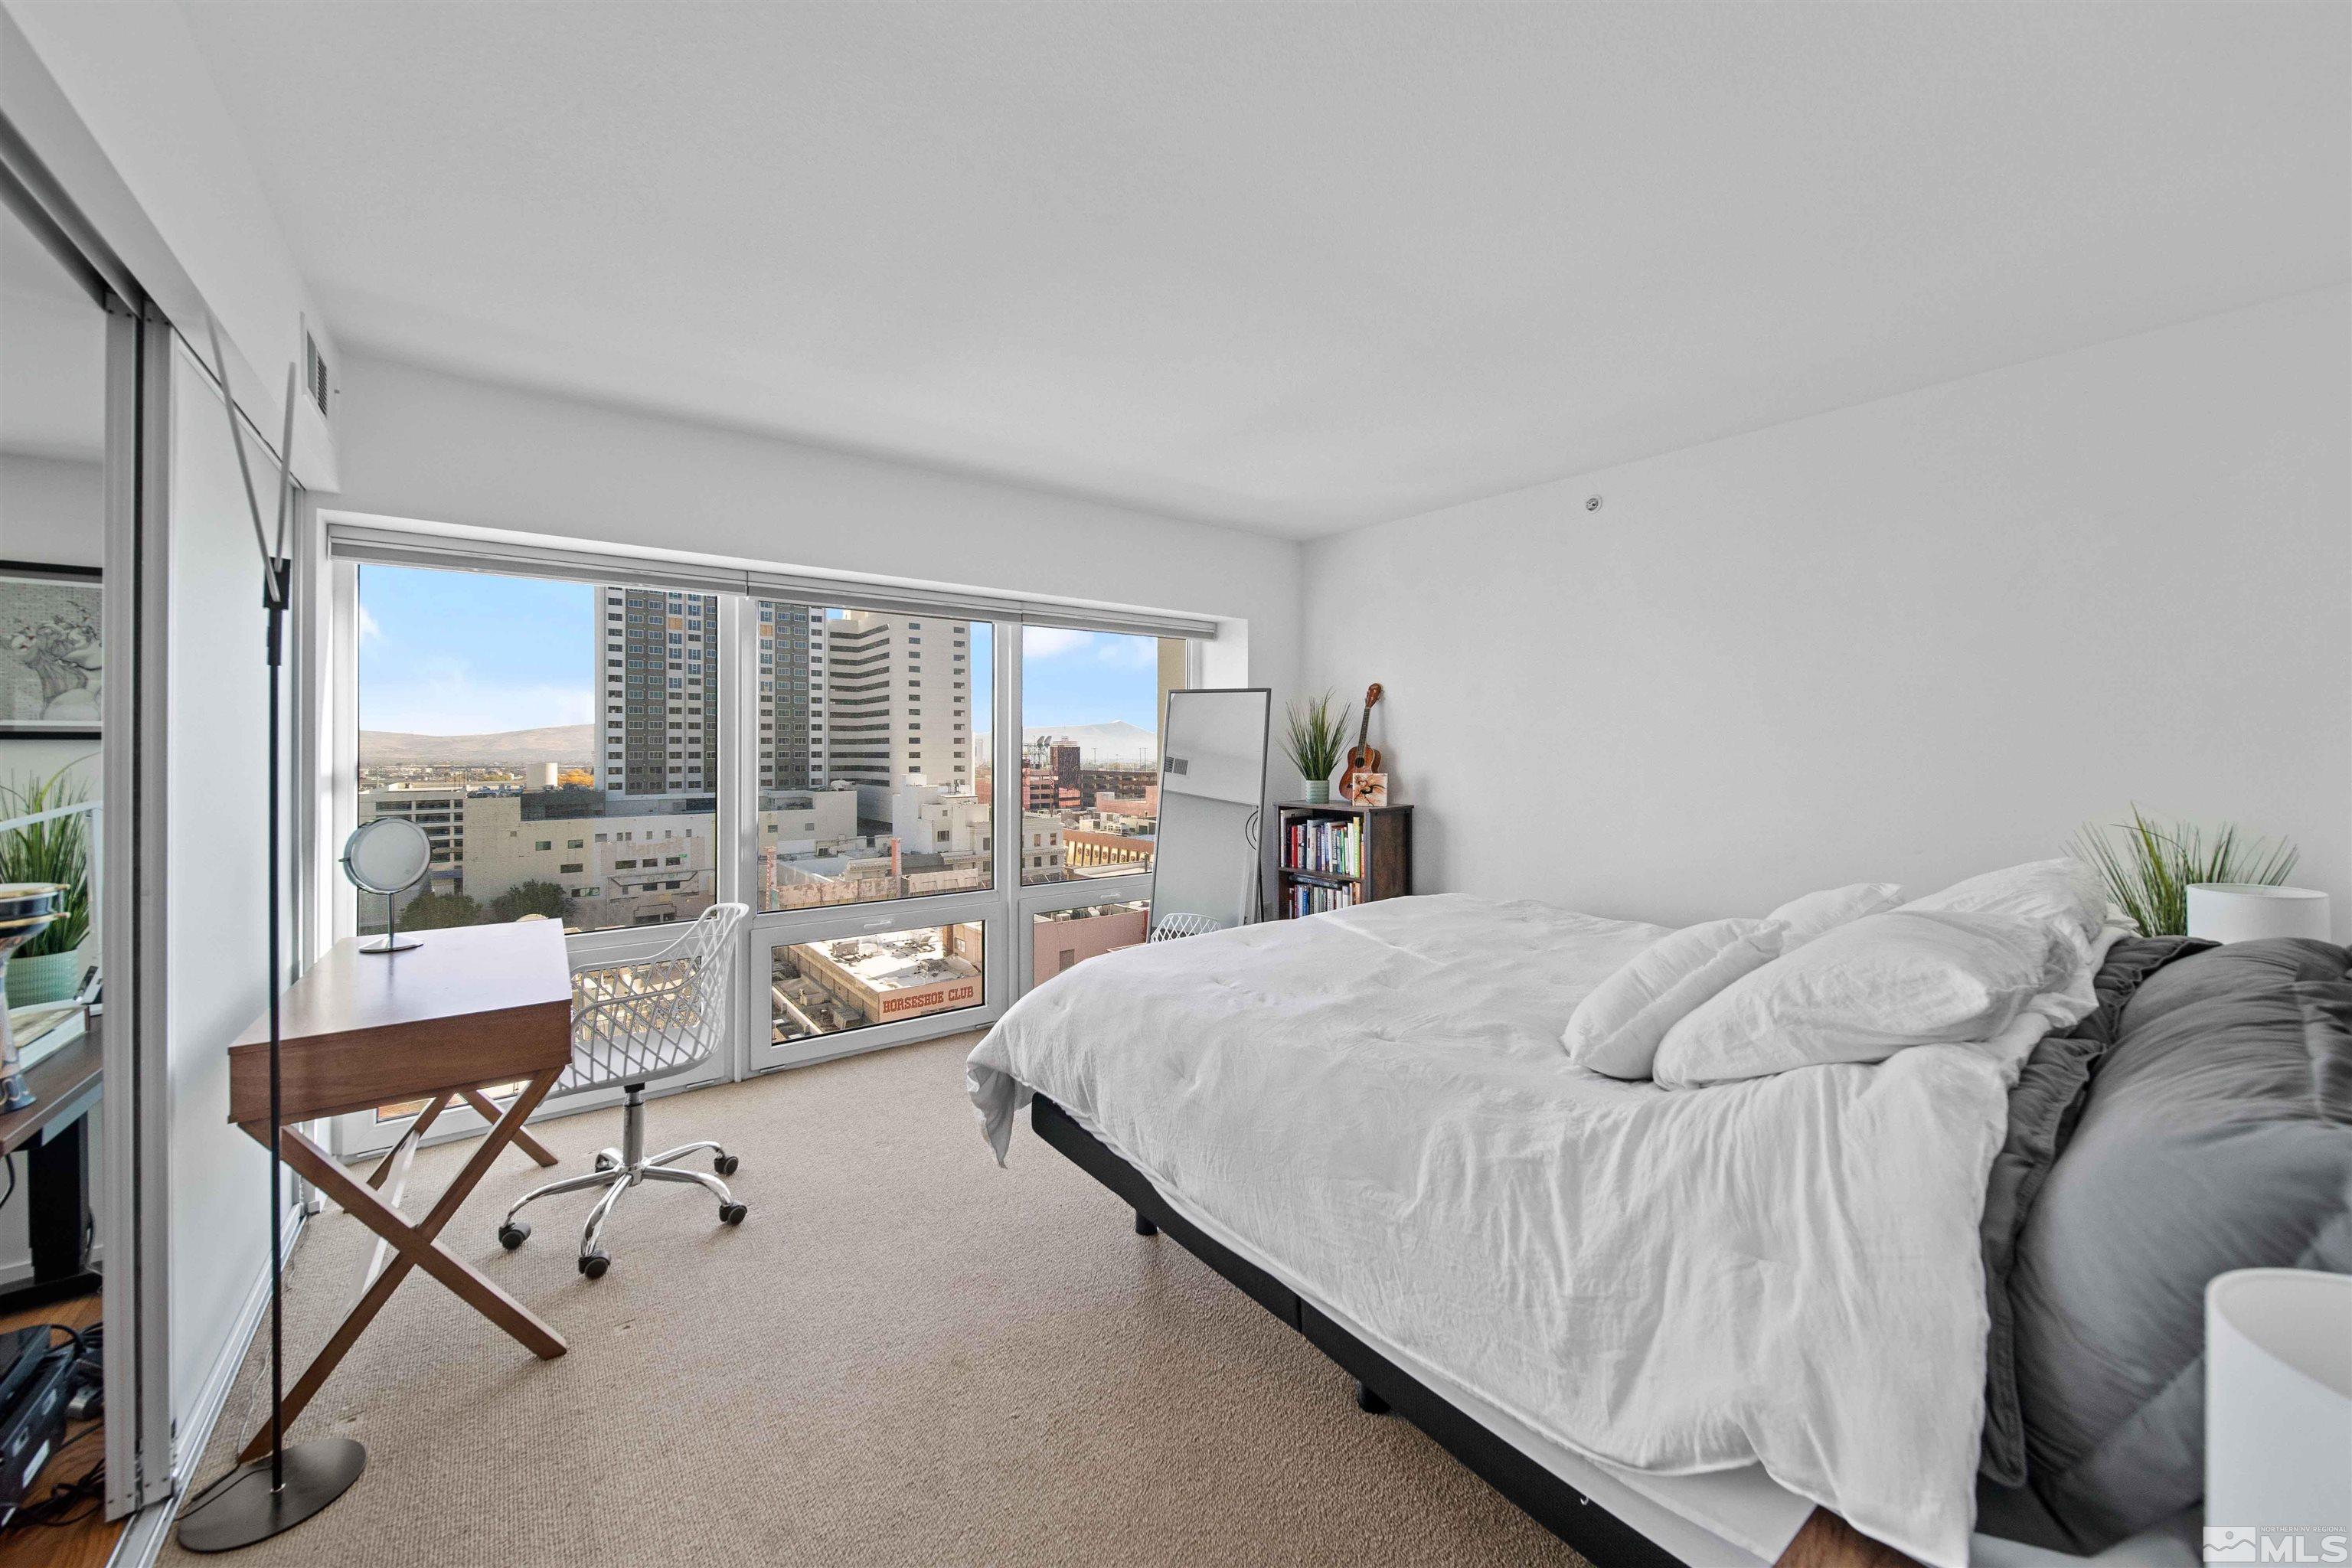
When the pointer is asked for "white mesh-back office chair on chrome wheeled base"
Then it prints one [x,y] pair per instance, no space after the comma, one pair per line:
[634,1024]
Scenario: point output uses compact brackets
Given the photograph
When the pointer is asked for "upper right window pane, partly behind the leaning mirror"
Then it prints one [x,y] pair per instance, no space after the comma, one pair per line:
[1090,751]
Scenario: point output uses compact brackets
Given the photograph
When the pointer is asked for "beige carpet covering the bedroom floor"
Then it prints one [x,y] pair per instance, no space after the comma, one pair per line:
[904,1355]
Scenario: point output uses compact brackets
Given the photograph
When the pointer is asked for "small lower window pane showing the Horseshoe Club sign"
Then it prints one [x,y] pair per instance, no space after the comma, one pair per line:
[864,981]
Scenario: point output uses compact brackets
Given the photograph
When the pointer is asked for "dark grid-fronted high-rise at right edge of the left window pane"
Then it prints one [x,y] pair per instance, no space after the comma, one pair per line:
[662,685]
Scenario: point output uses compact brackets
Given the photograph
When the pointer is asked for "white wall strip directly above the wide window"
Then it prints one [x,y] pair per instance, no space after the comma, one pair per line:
[417,443]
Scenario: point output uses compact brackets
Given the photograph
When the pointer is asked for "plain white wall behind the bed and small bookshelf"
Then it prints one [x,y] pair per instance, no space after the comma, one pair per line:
[1909,641]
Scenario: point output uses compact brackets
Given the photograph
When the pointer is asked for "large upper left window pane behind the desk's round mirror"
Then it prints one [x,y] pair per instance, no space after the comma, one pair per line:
[556,742]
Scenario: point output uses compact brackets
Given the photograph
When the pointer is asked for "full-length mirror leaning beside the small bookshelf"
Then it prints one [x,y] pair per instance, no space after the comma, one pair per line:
[1212,798]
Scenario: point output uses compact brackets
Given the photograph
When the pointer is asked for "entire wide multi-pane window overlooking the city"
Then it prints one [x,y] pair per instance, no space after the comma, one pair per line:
[930,805]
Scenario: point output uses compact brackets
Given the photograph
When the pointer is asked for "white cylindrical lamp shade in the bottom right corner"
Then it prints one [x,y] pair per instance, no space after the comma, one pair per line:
[2280,1400]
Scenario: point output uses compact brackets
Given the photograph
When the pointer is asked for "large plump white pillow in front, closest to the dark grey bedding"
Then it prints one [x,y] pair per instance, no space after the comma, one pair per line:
[1862,993]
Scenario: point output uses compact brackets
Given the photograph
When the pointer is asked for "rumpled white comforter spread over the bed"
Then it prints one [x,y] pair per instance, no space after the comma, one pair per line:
[1782,1271]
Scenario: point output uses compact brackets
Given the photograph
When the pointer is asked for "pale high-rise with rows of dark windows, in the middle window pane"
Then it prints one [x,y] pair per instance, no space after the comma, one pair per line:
[900,702]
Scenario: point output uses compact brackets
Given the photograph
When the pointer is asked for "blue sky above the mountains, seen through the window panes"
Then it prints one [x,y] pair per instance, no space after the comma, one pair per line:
[467,652]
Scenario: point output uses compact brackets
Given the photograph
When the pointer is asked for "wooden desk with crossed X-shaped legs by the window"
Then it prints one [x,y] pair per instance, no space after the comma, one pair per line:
[467,1010]
